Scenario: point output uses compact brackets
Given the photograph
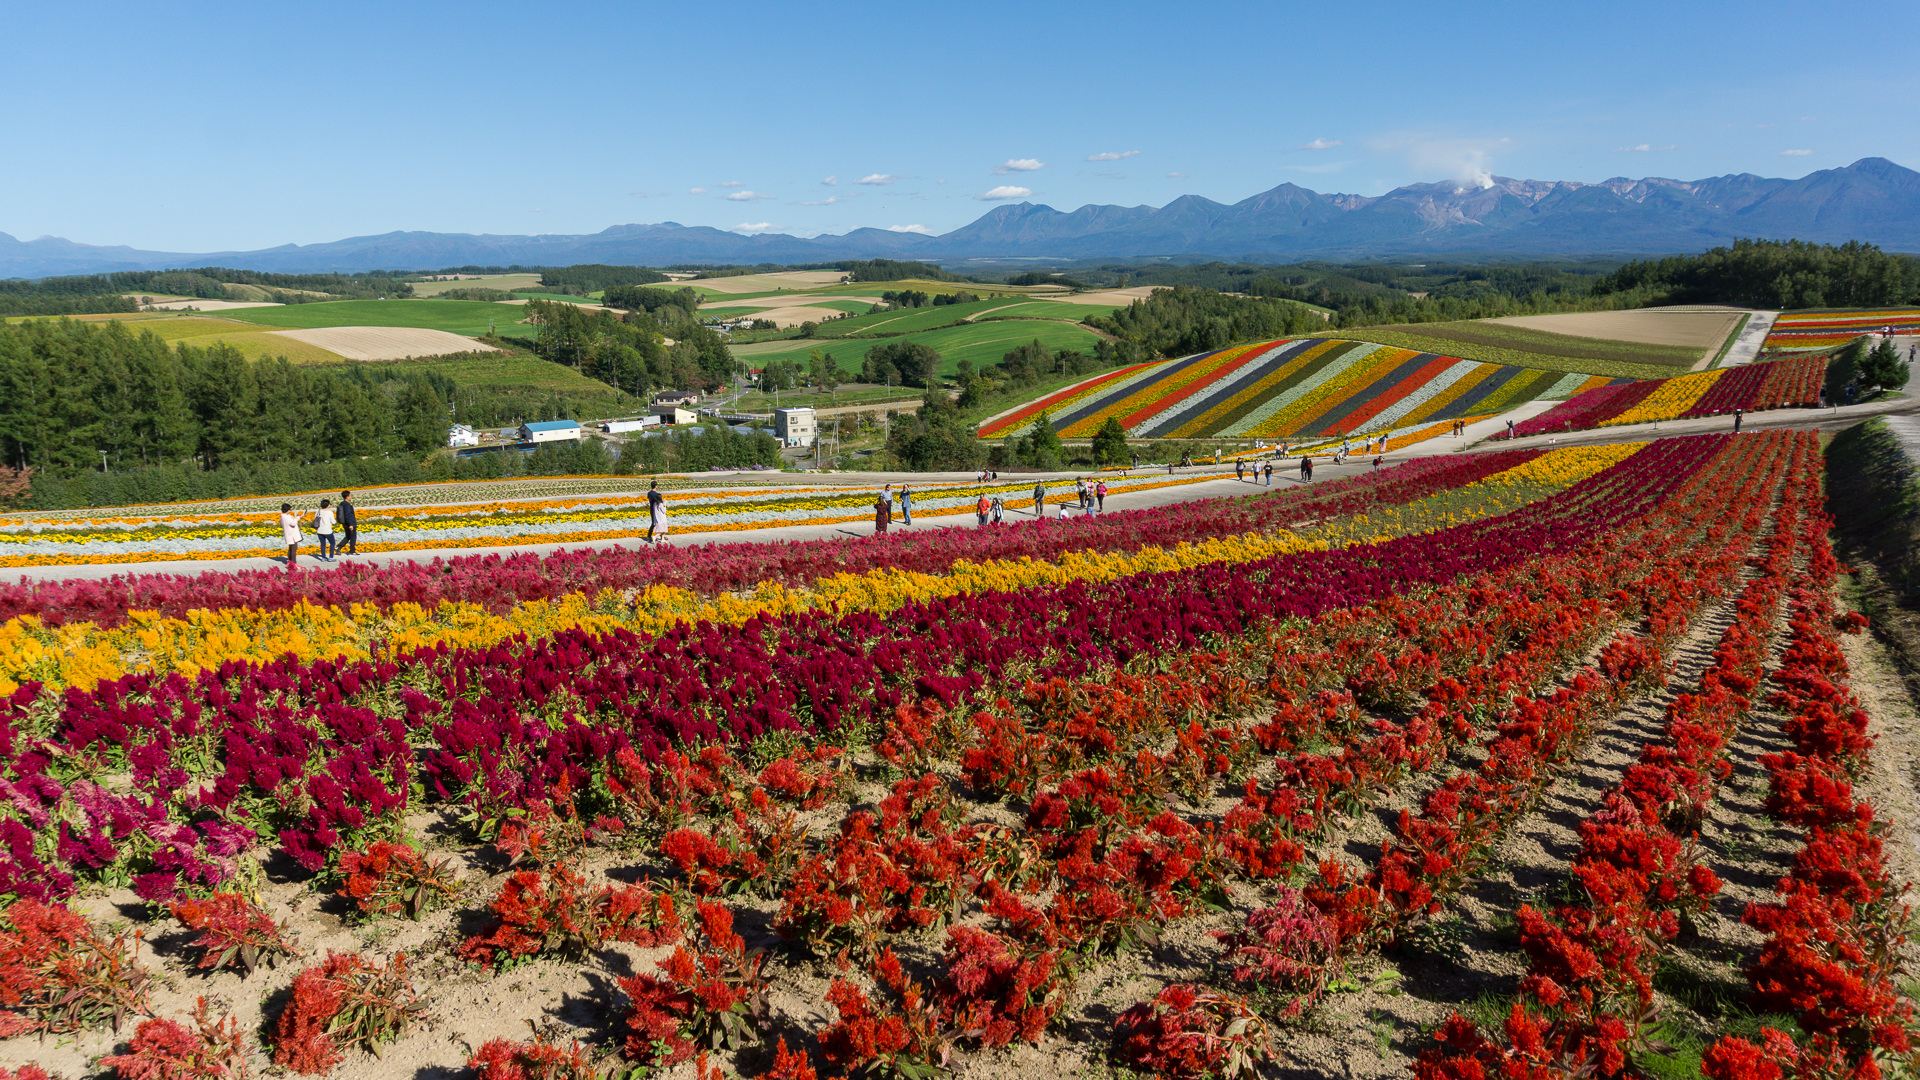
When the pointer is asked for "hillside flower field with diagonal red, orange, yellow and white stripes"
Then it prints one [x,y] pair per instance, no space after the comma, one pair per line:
[1291,389]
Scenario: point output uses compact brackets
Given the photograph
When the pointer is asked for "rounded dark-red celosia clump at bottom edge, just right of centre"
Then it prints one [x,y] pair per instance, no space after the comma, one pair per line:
[1189,1033]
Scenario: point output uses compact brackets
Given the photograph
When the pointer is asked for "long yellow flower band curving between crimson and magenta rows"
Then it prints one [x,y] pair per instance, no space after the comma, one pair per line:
[82,654]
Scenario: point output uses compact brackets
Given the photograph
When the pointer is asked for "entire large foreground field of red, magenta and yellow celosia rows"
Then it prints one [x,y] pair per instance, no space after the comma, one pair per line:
[1157,793]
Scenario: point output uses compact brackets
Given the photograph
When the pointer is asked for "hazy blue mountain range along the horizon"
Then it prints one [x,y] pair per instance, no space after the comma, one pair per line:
[1871,201]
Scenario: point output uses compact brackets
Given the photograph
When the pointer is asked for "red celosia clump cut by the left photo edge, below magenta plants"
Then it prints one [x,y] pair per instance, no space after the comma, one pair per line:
[60,975]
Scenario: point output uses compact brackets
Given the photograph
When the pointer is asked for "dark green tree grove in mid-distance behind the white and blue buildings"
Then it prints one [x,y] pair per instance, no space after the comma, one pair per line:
[629,353]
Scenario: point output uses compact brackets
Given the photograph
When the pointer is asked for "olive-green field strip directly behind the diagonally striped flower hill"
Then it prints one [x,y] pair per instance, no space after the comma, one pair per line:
[1497,343]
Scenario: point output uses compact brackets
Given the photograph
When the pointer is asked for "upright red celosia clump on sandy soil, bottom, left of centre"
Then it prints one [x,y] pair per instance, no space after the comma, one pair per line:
[709,996]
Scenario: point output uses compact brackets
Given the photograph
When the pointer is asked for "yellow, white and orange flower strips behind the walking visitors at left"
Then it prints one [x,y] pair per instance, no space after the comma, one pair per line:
[180,533]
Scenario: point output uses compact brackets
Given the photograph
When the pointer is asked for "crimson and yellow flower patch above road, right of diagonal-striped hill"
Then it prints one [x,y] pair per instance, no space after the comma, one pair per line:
[1785,383]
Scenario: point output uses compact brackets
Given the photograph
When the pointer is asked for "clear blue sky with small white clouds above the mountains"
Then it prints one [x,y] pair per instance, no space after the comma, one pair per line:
[233,128]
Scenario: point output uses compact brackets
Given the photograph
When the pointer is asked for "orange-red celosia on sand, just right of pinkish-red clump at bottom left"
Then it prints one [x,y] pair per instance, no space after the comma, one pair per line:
[345,1004]
